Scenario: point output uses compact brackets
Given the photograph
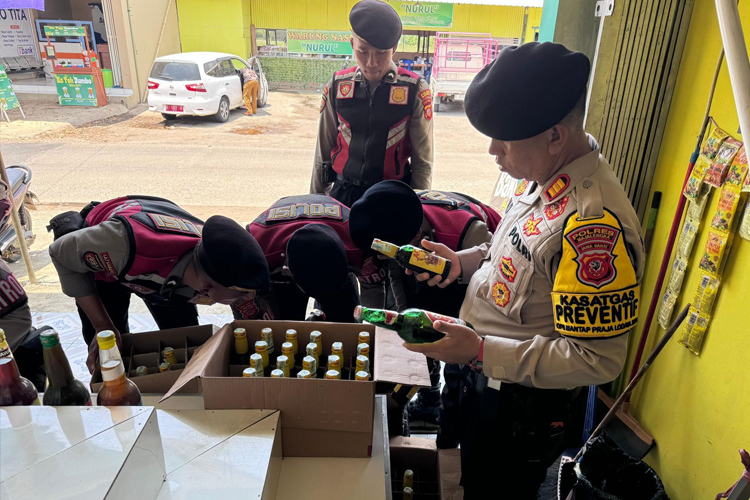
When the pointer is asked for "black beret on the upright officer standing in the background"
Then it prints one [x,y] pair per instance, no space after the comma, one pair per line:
[377,23]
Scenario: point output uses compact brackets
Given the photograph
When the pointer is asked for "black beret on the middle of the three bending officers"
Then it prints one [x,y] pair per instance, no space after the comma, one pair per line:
[316,257]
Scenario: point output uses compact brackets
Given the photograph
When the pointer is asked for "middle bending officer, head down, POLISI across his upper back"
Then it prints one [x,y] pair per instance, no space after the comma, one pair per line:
[310,253]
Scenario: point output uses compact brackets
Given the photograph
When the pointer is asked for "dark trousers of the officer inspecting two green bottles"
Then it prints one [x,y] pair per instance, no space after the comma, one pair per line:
[510,438]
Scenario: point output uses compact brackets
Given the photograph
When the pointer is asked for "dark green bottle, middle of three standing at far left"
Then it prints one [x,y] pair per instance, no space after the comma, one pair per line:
[63,389]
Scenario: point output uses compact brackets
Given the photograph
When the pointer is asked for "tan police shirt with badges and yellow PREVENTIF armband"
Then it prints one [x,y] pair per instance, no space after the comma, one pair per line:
[575,241]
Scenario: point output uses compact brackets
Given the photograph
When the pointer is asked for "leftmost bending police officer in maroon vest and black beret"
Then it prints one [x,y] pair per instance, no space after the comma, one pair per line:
[153,248]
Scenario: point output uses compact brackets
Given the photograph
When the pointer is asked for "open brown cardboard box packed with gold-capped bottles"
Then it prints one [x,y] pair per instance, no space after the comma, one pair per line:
[324,418]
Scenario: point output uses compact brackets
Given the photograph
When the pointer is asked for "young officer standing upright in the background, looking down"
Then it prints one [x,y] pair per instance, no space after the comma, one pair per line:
[375,118]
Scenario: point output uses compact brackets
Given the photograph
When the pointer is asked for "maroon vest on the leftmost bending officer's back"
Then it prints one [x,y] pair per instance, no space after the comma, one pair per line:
[159,233]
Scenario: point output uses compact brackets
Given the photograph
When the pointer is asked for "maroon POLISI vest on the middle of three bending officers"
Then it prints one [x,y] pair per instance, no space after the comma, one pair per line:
[273,228]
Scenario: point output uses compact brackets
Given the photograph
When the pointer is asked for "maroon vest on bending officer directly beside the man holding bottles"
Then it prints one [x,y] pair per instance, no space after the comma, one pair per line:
[451,214]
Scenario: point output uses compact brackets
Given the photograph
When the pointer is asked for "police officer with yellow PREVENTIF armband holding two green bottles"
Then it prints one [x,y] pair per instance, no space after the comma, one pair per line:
[554,294]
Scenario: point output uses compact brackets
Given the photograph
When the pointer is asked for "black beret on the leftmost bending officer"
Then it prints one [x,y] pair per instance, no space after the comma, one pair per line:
[231,257]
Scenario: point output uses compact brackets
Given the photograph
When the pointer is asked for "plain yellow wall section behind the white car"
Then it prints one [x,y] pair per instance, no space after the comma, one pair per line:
[215,25]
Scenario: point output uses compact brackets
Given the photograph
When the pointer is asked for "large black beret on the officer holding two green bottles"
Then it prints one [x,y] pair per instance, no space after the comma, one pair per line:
[526,90]
